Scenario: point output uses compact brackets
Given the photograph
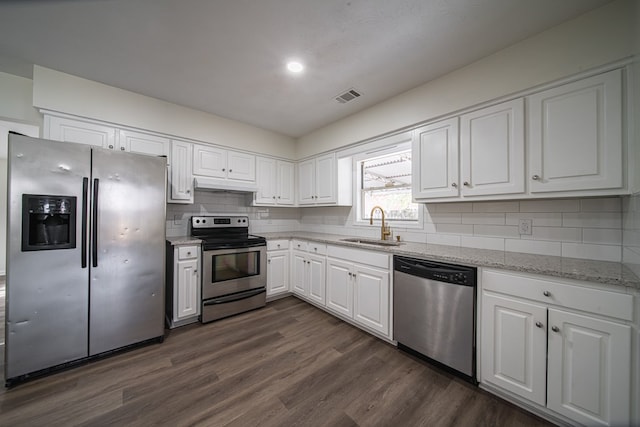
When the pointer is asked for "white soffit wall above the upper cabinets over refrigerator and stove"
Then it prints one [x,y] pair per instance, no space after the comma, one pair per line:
[58,91]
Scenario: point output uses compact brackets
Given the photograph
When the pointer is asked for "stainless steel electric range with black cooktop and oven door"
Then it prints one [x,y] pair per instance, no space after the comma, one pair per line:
[234,262]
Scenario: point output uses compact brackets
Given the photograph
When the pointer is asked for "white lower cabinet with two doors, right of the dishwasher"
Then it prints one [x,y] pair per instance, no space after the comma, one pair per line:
[553,344]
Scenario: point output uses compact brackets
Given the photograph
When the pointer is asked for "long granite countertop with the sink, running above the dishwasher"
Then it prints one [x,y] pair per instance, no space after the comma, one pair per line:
[604,272]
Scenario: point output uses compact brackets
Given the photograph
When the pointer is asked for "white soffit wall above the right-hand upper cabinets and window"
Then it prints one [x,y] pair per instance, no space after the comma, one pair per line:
[596,38]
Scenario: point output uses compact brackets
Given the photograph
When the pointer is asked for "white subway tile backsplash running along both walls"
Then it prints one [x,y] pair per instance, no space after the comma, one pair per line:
[576,228]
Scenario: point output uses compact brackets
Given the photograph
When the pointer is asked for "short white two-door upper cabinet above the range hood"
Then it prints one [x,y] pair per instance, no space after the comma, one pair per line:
[216,162]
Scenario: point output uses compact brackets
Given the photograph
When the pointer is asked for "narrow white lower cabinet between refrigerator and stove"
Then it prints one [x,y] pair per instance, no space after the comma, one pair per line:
[183,285]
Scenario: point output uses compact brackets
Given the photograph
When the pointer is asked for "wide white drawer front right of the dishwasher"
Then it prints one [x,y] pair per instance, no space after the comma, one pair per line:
[549,291]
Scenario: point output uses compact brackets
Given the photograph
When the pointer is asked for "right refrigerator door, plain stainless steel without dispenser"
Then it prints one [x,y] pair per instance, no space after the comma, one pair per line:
[127,250]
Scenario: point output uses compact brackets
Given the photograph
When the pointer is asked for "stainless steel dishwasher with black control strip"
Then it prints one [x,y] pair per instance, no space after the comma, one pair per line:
[434,313]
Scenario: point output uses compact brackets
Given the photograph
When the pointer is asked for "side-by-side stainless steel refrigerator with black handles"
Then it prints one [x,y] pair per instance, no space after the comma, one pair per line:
[85,253]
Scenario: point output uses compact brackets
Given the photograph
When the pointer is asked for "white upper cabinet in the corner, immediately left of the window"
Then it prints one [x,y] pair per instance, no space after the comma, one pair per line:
[325,180]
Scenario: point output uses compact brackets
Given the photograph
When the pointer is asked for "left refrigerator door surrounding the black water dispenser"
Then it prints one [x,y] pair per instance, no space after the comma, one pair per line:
[47,290]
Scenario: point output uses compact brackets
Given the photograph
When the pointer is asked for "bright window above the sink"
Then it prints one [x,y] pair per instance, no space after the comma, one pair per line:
[384,179]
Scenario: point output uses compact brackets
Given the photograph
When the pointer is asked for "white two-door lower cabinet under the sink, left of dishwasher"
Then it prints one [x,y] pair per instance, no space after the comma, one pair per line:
[357,290]
